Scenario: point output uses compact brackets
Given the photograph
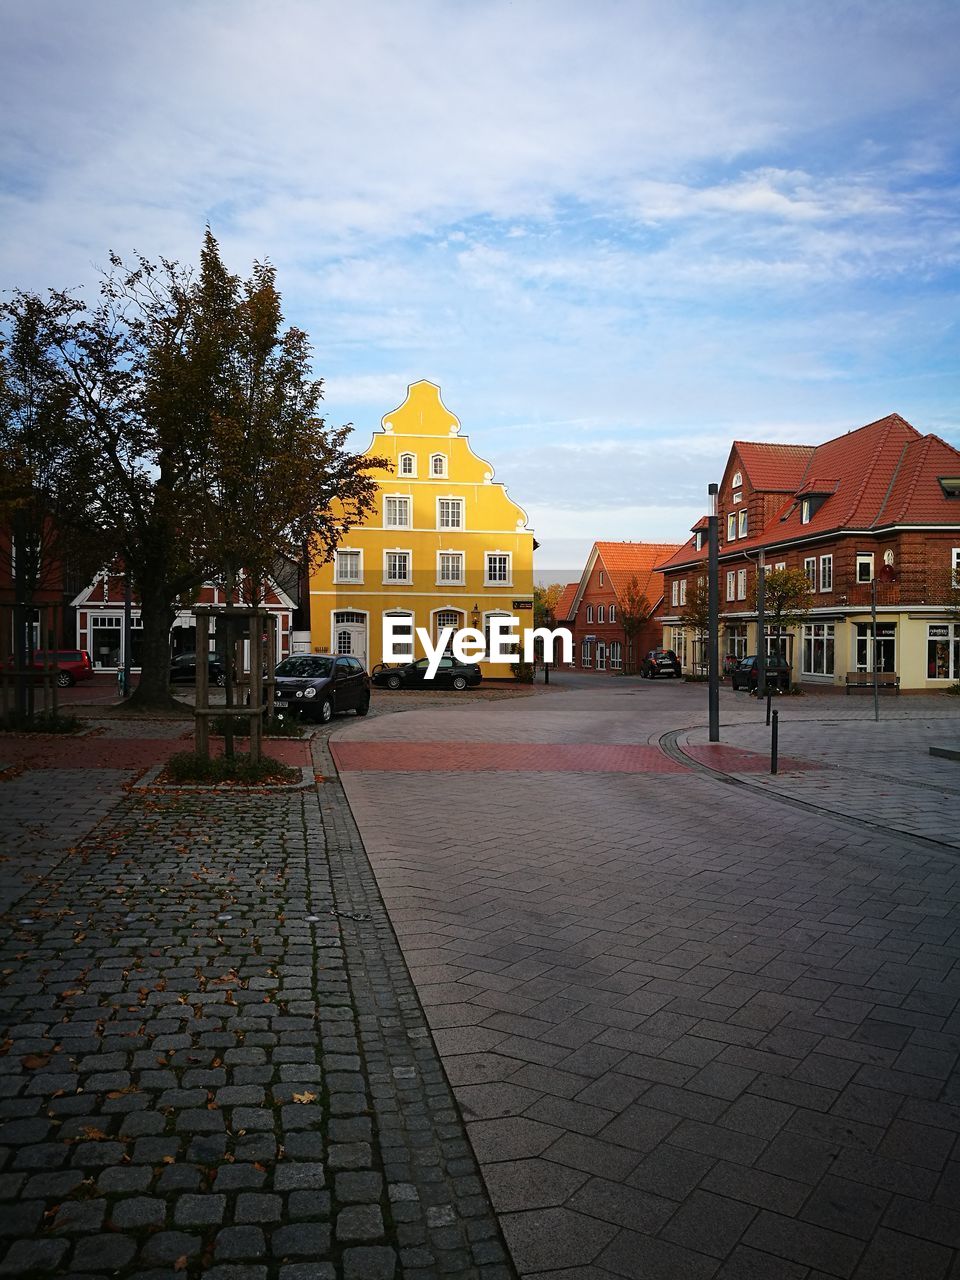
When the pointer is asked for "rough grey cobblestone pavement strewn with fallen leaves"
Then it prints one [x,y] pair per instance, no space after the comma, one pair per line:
[213,1059]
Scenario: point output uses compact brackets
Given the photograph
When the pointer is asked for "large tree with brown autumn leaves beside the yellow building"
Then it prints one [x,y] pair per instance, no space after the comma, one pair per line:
[194,419]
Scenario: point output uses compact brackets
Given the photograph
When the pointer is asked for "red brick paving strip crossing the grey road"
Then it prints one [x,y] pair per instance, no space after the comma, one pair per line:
[502,757]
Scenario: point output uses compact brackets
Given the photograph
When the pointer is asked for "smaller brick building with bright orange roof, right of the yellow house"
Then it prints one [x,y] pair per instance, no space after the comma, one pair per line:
[604,601]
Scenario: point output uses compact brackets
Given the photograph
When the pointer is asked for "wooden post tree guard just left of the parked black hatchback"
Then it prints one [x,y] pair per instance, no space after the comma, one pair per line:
[254,711]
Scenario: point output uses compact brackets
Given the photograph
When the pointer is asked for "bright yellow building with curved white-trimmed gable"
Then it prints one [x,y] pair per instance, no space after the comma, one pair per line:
[446,547]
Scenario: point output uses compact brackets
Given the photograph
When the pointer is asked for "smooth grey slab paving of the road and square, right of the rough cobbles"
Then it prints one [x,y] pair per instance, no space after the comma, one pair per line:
[697,1032]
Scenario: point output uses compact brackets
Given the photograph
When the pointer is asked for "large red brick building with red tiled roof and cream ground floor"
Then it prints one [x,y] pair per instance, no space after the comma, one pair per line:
[874,514]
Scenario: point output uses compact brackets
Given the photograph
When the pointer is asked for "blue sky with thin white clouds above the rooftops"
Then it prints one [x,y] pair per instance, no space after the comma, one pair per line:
[618,235]
